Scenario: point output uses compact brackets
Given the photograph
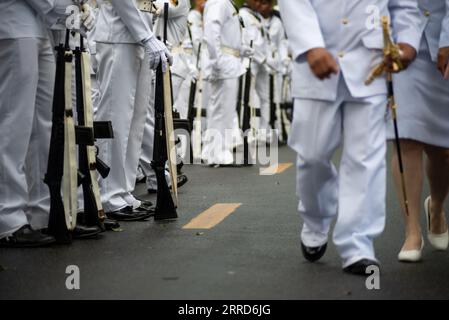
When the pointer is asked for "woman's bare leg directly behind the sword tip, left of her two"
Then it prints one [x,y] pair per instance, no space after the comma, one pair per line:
[412,156]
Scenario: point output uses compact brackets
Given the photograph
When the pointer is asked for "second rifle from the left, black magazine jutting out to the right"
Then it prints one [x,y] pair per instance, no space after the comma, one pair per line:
[88,161]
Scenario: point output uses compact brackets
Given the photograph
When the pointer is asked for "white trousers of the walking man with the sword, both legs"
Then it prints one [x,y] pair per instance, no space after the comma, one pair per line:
[355,195]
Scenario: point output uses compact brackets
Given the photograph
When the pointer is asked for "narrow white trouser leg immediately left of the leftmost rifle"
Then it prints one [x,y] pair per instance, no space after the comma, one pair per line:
[37,158]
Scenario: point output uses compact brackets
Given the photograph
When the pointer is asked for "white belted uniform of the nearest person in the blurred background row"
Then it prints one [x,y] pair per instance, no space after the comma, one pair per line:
[222,66]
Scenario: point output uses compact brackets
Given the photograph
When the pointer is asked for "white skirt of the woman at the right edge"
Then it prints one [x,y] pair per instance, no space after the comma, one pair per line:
[422,97]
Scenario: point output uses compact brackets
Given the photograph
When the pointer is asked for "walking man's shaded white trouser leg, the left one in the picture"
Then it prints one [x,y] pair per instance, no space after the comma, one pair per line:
[315,135]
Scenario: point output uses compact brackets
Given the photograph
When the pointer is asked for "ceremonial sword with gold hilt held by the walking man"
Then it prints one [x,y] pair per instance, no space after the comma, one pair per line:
[391,50]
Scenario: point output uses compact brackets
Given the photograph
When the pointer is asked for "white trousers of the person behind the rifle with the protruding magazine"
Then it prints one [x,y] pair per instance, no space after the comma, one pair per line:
[124,78]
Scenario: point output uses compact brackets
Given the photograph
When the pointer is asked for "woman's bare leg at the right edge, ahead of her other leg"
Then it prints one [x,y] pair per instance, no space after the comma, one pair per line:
[437,168]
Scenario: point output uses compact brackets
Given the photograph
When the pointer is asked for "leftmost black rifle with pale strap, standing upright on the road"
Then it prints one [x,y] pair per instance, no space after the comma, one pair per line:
[60,222]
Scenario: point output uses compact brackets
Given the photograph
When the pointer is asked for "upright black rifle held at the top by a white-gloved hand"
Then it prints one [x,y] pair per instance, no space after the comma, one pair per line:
[164,149]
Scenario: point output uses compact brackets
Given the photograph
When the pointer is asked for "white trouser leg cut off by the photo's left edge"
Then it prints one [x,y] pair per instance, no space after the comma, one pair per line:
[19,73]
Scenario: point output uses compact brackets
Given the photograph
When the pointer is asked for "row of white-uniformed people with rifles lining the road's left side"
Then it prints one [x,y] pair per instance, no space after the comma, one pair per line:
[102,57]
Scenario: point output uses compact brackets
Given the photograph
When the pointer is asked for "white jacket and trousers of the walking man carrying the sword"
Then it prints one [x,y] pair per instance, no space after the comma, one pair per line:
[342,110]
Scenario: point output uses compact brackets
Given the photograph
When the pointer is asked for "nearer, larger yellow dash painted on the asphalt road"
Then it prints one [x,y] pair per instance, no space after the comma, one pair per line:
[212,216]
